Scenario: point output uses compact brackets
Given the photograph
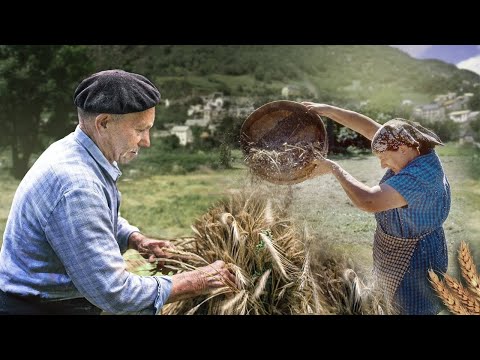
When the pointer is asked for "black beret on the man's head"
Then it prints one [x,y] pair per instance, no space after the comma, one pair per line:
[116,92]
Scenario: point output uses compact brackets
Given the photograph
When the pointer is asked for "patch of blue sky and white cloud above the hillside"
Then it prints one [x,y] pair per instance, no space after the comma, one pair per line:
[464,56]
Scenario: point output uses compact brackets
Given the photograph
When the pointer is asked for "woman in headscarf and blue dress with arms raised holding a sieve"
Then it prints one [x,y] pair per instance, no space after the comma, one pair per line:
[410,204]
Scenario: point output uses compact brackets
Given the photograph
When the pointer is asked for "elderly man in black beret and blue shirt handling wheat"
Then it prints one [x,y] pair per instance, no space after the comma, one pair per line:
[64,238]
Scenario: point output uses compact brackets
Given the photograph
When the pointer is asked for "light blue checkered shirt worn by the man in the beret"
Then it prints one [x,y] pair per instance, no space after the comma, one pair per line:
[64,237]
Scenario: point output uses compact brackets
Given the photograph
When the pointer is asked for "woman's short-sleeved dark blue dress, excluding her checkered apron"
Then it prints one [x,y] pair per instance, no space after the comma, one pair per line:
[425,187]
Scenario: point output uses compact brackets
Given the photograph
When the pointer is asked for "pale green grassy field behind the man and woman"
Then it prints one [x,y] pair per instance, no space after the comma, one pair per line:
[166,205]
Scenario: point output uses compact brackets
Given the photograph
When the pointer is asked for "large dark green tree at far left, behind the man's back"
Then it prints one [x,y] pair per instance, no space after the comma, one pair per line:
[36,87]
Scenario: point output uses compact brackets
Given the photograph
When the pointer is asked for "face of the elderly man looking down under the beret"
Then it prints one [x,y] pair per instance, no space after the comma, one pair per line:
[127,134]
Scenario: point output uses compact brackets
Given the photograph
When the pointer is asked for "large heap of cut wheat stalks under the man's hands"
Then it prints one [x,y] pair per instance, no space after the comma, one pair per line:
[278,269]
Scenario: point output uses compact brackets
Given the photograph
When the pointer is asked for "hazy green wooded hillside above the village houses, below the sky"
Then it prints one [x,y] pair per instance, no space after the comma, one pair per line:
[344,74]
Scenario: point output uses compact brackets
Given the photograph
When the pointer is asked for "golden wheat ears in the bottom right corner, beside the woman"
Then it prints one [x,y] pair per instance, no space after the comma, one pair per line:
[459,299]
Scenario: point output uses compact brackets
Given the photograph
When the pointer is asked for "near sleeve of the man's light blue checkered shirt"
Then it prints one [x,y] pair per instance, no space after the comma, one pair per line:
[80,230]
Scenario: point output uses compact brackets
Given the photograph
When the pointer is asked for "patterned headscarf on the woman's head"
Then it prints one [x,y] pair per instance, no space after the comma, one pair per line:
[398,132]
